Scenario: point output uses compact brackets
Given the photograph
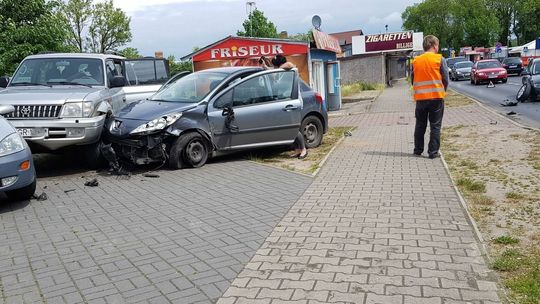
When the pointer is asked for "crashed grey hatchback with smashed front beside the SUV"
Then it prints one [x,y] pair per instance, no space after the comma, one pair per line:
[218,110]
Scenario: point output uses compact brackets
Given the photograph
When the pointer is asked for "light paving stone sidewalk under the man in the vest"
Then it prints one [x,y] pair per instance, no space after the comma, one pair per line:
[376,226]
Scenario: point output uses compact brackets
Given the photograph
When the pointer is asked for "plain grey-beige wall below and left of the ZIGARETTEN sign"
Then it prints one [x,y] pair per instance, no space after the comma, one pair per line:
[363,68]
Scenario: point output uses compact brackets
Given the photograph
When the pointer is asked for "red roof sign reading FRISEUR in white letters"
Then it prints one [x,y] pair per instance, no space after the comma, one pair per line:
[235,48]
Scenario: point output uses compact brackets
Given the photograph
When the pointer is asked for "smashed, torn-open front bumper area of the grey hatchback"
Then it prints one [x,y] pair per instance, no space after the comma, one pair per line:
[140,150]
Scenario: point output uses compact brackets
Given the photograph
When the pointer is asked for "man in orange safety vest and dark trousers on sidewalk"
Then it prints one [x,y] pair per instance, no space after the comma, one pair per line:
[429,78]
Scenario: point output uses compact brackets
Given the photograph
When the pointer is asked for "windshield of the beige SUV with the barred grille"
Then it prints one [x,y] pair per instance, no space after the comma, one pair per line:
[51,71]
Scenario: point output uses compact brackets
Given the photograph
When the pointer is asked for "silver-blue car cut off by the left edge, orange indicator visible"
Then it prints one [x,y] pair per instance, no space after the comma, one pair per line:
[17,173]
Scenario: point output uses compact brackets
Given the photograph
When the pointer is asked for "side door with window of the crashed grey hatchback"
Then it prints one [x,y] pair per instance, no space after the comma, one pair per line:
[261,110]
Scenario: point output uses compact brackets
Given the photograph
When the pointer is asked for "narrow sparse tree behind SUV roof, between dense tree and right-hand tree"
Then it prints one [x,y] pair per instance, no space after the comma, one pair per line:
[78,14]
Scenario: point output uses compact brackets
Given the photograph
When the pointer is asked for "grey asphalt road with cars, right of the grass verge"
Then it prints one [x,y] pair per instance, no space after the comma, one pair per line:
[527,113]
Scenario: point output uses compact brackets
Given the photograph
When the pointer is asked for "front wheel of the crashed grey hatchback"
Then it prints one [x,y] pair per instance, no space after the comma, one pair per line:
[189,150]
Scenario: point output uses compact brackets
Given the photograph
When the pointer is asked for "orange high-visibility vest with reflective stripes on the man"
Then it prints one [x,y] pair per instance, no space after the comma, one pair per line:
[428,82]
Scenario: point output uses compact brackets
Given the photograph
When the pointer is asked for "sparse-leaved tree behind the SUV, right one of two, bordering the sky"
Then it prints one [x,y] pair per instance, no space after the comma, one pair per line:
[109,28]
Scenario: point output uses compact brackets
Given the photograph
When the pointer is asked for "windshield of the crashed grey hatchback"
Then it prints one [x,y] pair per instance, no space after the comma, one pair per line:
[191,88]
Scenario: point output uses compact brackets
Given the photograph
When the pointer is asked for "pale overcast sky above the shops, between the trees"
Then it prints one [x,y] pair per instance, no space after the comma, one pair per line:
[176,26]
